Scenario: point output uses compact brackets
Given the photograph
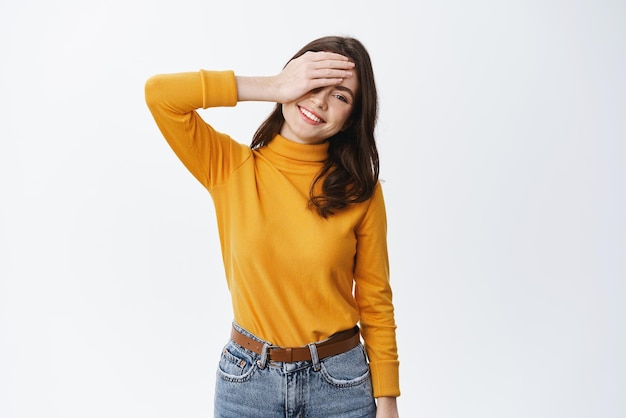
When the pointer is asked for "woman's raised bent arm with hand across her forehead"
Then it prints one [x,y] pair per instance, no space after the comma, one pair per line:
[174,98]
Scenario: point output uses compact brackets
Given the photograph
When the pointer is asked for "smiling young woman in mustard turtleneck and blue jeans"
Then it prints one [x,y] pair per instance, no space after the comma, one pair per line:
[302,227]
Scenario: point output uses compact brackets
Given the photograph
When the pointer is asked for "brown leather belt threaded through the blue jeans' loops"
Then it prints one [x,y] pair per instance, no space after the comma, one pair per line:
[337,344]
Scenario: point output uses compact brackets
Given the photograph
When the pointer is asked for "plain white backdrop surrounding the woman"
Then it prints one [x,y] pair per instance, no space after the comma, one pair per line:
[502,136]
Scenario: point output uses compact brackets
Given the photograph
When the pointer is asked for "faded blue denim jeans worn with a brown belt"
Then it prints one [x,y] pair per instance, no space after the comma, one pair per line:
[249,385]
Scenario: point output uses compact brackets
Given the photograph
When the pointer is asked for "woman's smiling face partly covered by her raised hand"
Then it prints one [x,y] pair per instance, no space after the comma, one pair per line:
[320,113]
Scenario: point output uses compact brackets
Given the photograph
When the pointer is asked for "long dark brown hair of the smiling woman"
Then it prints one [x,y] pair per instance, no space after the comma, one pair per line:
[351,171]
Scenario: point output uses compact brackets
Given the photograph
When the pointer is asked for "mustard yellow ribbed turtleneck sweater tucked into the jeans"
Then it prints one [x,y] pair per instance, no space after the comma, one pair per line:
[290,272]
